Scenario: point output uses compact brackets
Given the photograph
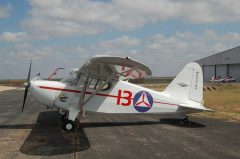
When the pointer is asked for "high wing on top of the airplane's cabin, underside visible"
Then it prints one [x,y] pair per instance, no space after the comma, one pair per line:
[102,67]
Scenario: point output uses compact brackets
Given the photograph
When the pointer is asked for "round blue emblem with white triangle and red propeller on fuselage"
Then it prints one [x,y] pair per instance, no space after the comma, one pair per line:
[143,101]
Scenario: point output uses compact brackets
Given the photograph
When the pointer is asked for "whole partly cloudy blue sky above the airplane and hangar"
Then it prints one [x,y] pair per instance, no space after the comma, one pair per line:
[163,34]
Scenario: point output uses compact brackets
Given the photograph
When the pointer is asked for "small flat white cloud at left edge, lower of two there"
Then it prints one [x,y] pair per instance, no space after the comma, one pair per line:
[13,37]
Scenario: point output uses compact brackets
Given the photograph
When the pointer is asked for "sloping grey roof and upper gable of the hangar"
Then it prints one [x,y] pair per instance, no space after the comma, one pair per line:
[231,56]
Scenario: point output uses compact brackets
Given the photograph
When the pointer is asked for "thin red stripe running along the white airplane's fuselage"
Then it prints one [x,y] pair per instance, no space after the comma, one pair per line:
[99,94]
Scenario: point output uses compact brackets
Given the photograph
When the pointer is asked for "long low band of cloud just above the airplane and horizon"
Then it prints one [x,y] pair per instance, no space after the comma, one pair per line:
[165,55]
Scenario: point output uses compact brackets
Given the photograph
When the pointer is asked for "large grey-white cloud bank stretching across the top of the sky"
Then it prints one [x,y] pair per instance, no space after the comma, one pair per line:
[66,18]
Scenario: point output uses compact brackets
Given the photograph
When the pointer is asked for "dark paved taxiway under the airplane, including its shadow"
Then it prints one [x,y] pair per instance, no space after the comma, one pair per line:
[36,133]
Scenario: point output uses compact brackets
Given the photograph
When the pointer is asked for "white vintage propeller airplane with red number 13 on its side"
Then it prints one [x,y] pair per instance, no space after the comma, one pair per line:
[100,86]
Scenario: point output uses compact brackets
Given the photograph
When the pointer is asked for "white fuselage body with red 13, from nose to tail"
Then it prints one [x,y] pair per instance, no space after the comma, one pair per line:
[122,97]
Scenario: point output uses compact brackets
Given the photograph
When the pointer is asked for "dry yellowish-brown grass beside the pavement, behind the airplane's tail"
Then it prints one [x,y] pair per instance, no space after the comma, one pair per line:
[225,101]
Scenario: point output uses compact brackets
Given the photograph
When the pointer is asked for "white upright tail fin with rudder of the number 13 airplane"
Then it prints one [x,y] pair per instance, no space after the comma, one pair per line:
[187,87]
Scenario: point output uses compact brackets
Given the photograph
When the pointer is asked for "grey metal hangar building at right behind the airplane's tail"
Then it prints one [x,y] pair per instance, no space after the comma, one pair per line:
[224,64]
